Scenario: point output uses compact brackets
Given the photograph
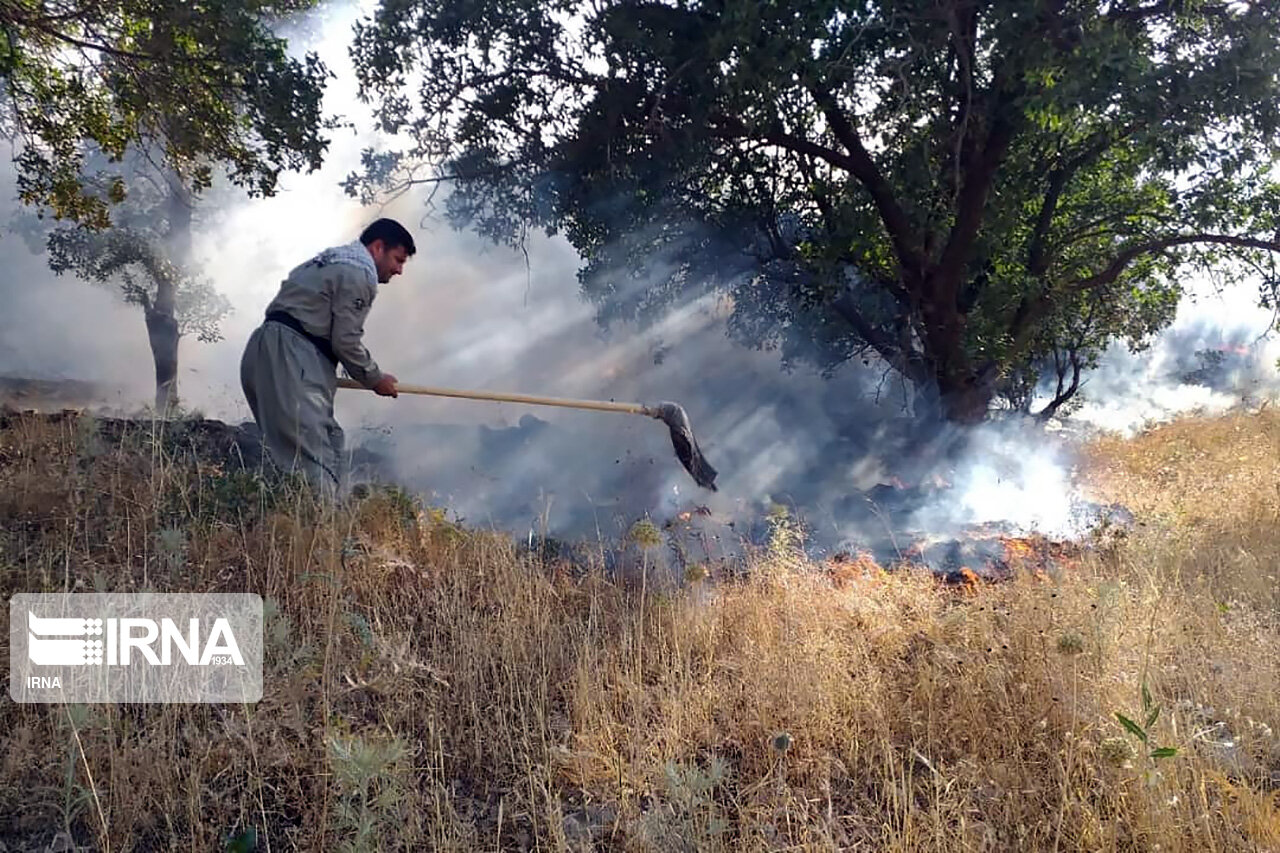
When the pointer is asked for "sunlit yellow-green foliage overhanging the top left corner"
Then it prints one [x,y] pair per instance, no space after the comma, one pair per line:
[199,85]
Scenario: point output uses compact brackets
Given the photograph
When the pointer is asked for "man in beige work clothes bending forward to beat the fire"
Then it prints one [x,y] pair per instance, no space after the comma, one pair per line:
[316,323]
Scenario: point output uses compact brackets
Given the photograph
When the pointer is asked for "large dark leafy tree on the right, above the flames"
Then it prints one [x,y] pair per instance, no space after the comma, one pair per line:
[970,191]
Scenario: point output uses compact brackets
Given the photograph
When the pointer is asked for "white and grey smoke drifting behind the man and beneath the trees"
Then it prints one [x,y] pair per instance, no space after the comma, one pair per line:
[467,314]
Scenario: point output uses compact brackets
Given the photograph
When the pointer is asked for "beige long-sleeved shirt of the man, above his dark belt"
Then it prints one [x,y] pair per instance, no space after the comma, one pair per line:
[332,302]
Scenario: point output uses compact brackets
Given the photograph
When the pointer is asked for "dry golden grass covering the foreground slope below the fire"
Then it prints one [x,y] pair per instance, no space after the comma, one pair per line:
[429,688]
